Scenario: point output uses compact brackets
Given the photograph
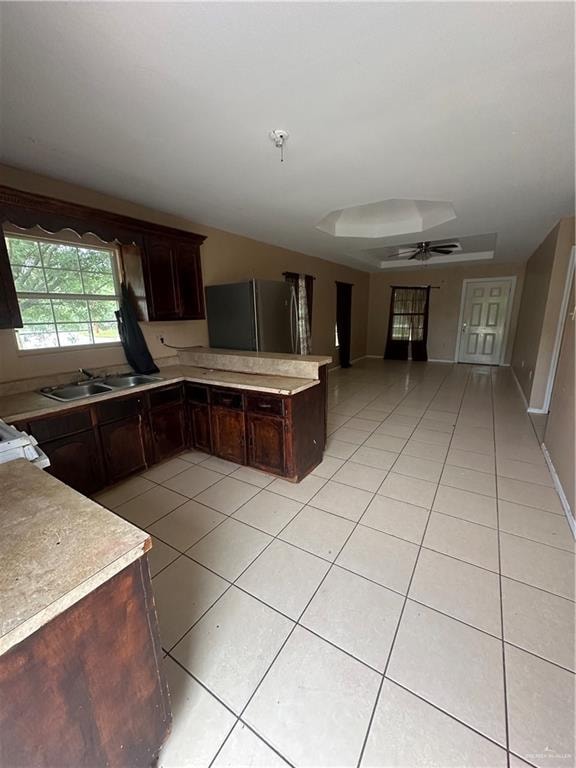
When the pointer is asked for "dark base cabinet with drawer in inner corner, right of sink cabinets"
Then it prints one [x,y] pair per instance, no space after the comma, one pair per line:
[167,423]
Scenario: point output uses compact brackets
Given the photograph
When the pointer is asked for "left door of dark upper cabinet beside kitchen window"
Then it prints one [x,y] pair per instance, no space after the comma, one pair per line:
[160,279]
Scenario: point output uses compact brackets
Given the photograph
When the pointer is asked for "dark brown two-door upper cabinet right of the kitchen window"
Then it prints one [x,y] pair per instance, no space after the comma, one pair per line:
[172,277]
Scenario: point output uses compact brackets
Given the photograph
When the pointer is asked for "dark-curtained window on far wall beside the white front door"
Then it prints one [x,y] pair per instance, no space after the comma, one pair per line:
[408,323]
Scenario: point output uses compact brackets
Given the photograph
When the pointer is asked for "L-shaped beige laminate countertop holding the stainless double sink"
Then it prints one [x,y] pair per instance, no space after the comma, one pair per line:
[30,404]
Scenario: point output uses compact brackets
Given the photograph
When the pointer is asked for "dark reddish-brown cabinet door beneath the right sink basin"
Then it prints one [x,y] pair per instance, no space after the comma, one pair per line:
[123,447]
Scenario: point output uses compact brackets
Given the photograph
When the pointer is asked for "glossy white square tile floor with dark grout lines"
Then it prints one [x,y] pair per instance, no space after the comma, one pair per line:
[410,603]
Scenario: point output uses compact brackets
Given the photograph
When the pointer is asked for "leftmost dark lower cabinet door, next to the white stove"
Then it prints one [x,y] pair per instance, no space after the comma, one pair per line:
[75,460]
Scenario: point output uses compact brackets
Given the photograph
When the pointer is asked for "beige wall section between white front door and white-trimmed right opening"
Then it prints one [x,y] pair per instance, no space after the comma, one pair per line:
[544,285]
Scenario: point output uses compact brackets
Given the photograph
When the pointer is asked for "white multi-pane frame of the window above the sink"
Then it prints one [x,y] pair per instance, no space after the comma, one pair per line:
[78,242]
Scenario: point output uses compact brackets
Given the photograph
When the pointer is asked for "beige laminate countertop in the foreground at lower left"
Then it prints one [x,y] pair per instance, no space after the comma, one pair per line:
[56,546]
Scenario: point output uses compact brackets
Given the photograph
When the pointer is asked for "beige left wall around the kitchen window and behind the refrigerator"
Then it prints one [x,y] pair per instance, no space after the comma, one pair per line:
[225,257]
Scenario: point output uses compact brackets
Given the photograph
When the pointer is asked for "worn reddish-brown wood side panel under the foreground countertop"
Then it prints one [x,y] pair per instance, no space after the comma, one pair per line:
[87,688]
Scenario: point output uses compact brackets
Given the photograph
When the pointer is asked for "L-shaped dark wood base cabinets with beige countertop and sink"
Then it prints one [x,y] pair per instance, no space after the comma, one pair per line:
[264,410]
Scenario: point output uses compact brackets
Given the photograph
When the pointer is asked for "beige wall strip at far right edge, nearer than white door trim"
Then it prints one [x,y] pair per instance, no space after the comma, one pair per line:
[561,428]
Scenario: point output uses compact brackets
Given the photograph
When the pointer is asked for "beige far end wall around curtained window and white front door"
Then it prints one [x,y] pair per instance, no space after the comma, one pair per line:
[444,303]
